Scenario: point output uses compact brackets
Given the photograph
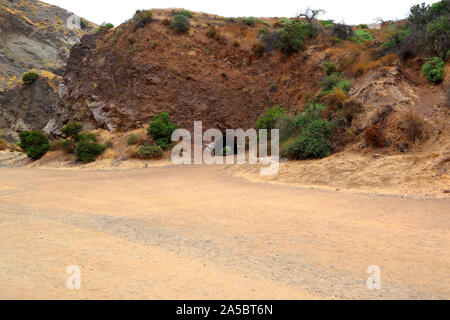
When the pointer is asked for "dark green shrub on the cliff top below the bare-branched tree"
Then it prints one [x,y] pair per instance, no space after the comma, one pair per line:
[294,35]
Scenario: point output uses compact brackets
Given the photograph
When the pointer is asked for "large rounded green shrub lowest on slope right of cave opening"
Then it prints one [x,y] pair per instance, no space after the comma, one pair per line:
[313,142]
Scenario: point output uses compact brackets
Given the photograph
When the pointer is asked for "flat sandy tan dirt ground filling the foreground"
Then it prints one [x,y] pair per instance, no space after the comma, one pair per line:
[196,233]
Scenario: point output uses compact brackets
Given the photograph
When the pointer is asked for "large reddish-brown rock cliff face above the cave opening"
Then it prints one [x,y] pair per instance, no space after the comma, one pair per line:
[121,78]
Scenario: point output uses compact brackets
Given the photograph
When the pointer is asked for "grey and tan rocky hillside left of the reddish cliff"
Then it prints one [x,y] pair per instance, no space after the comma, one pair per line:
[34,36]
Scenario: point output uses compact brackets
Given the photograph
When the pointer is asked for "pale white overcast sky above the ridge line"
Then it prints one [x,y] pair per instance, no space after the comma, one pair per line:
[349,11]
